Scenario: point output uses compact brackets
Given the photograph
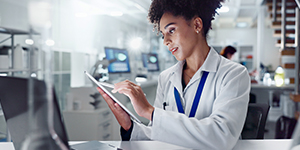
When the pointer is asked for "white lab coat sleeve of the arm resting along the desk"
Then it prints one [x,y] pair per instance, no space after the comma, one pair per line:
[220,130]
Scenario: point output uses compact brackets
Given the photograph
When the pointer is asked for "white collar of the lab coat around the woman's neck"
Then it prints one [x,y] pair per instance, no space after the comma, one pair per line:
[210,65]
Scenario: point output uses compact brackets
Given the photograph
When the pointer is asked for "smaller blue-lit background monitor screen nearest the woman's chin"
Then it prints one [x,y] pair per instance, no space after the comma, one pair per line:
[150,61]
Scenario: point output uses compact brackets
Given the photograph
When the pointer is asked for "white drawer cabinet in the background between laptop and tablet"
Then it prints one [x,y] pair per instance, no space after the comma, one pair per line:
[87,125]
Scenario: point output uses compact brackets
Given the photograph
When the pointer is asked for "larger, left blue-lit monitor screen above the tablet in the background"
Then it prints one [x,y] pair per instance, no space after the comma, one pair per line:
[119,60]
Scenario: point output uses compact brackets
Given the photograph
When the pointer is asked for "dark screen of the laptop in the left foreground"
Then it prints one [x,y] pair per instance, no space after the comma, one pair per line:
[14,102]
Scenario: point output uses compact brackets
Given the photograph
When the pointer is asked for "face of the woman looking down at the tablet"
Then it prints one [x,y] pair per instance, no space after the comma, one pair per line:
[179,35]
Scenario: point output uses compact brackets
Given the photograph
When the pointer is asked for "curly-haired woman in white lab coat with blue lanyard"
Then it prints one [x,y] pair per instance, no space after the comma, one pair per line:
[181,115]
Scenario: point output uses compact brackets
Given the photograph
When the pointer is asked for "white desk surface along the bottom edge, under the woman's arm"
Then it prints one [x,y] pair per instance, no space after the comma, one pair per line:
[147,145]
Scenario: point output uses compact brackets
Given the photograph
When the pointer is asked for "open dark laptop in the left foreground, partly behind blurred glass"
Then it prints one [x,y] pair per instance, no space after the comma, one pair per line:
[14,103]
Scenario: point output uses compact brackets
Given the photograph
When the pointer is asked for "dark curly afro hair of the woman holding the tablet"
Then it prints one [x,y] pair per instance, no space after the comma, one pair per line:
[204,9]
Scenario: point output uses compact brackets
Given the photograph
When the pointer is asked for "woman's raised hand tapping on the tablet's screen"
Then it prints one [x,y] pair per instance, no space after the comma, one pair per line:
[137,97]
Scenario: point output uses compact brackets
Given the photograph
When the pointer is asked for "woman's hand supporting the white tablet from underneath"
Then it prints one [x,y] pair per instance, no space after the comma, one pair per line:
[122,117]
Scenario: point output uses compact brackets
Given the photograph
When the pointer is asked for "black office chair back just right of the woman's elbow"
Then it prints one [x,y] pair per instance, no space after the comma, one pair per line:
[254,126]
